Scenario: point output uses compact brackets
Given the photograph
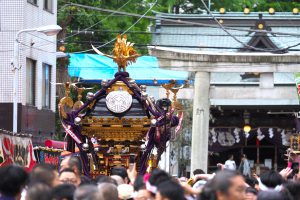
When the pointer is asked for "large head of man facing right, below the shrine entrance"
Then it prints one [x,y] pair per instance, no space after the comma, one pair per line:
[225,185]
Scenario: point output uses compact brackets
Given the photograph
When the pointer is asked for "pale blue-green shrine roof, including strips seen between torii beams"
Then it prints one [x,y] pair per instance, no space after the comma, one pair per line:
[200,37]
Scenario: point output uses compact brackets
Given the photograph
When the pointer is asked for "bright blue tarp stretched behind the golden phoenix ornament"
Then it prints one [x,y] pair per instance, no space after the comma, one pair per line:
[97,67]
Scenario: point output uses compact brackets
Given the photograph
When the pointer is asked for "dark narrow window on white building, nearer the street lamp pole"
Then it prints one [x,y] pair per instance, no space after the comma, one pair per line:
[30,81]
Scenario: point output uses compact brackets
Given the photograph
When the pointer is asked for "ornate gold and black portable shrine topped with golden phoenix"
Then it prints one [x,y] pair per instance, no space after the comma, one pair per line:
[120,121]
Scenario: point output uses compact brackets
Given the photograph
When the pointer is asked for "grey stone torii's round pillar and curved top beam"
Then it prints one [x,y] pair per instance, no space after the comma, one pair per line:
[205,62]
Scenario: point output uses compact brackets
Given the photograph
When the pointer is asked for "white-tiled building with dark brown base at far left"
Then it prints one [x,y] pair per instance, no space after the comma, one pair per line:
[37,66]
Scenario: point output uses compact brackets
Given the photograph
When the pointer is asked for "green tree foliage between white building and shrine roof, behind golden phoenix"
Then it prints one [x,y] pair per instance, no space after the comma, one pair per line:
[105,26]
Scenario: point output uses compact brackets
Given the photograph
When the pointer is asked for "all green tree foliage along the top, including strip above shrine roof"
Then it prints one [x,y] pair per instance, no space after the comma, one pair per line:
[106,26]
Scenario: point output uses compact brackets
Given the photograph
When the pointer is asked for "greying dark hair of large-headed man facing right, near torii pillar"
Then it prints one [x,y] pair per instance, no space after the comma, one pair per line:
[221,182]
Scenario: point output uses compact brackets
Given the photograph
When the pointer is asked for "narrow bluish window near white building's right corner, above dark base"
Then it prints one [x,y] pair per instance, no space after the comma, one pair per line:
[46,86]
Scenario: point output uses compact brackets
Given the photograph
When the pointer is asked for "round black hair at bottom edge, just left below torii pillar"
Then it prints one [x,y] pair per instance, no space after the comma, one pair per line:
[171,190]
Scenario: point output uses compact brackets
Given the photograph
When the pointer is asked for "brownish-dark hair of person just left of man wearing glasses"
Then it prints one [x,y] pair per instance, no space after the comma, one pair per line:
[43,173]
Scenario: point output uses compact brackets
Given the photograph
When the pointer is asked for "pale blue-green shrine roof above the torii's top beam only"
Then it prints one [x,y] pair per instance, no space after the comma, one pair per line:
[199,37]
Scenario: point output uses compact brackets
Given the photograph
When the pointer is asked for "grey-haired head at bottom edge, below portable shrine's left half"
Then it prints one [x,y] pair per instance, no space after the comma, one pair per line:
[87,192]
